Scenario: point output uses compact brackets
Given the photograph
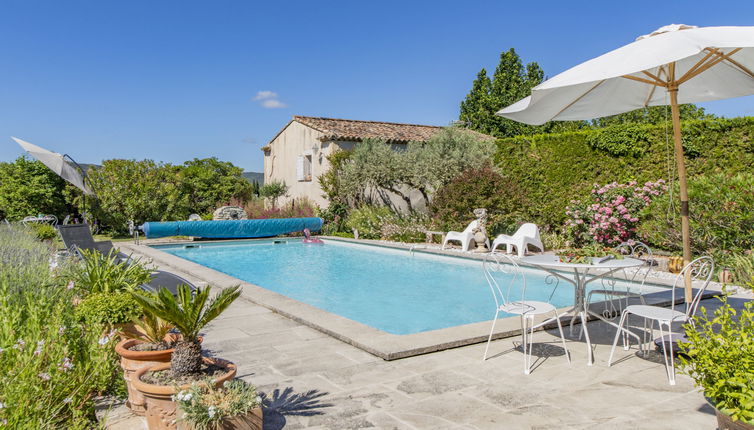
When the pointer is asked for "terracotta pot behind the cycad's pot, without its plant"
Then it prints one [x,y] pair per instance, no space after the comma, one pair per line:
[131,361]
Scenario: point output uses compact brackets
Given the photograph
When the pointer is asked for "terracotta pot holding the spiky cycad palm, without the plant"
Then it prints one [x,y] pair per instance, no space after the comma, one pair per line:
[161,409]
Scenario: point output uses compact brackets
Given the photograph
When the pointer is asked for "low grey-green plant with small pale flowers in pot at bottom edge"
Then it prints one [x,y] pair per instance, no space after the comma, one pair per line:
[233,406]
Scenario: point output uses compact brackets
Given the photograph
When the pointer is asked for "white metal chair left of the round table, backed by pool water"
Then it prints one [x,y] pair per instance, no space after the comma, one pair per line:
[512,300]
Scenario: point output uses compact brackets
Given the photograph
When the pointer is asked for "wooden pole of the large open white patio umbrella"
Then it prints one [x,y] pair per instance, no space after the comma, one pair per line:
[685,228]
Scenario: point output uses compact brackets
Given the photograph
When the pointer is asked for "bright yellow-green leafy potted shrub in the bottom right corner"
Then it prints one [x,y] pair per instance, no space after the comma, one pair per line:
[720,359]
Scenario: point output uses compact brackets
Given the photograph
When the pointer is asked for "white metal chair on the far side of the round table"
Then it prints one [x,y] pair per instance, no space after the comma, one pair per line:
[639,251]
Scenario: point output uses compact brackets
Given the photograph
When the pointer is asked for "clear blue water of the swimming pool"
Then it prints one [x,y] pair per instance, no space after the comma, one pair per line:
[384,288]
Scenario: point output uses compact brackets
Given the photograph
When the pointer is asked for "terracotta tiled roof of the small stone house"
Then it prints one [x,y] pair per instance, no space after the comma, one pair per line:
[353,130]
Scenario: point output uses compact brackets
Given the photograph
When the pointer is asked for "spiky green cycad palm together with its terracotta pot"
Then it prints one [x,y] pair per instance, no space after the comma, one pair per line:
[189,313]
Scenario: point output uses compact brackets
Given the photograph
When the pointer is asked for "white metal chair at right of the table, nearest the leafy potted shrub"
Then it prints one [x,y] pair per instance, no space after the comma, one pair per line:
[699,270]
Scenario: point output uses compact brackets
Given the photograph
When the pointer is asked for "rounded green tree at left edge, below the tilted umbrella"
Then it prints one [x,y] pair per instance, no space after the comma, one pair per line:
[28,187]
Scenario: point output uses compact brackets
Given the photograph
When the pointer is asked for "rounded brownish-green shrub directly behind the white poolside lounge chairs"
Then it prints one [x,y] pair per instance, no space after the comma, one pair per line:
[453,205]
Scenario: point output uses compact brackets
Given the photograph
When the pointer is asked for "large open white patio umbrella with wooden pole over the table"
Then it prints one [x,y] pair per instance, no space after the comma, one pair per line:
[675,64]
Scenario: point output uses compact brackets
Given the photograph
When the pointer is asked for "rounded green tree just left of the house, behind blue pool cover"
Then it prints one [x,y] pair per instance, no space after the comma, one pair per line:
[205,183]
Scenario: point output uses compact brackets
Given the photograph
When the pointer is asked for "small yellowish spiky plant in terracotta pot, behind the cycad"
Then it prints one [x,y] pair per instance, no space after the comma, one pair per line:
[153,345]
